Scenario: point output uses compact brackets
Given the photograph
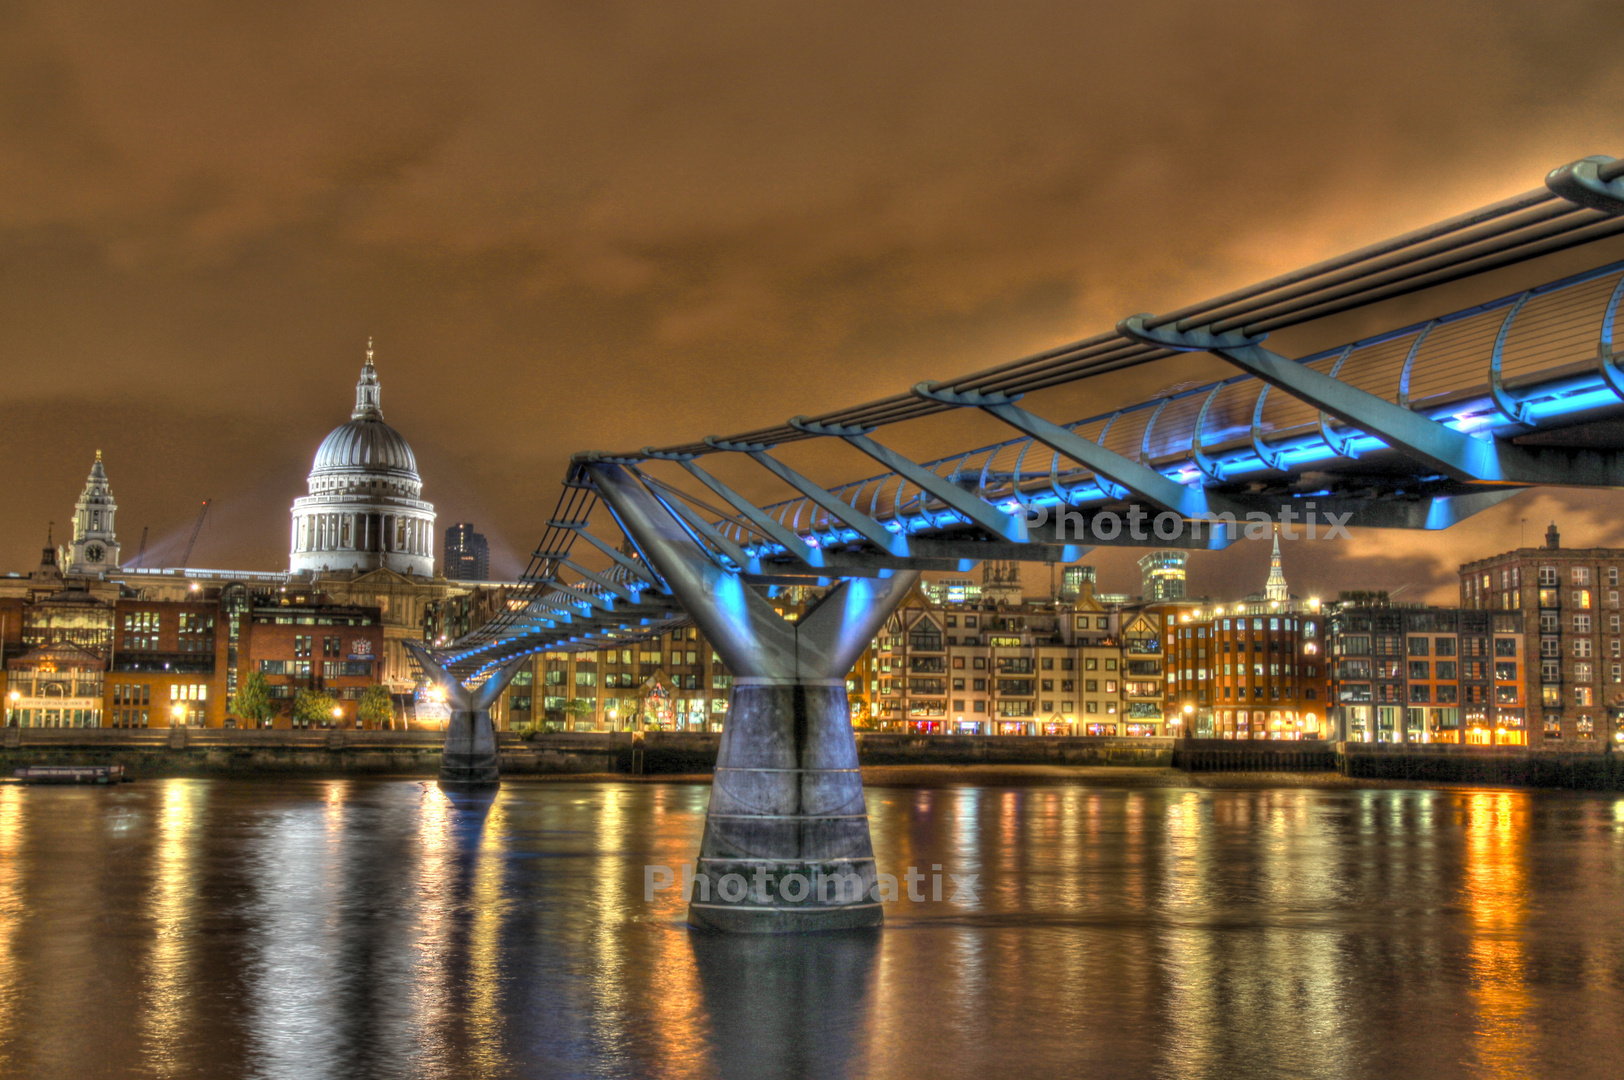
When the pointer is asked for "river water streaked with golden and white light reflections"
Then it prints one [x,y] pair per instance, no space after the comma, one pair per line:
[308,930]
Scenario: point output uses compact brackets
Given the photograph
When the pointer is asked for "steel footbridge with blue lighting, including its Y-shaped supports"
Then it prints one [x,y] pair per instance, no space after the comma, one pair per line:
[1414,428]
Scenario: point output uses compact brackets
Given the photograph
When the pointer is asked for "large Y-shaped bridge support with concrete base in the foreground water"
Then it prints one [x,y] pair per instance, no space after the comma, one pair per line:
[787,837]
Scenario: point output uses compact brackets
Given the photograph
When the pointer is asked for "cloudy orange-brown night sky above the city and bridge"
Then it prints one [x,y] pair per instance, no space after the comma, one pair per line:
[603,227]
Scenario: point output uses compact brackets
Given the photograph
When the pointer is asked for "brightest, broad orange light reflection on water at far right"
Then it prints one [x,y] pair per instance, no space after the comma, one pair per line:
[1497,896]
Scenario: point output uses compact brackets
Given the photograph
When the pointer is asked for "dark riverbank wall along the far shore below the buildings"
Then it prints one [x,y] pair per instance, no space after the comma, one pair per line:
[227,753]
